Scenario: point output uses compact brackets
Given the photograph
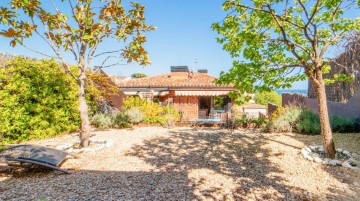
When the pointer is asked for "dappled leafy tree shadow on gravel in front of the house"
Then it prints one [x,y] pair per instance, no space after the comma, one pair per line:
[219,164]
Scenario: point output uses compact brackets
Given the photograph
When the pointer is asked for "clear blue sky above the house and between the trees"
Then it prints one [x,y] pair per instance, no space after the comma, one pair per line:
[183,37]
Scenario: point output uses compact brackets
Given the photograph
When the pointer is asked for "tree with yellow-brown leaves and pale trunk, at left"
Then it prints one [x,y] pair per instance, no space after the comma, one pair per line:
[89,25]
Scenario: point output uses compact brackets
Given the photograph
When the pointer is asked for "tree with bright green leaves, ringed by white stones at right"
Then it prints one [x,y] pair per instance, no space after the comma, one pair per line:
[282,42]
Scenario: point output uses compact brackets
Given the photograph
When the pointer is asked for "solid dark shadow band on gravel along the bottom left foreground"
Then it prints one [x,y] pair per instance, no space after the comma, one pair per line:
[99,185]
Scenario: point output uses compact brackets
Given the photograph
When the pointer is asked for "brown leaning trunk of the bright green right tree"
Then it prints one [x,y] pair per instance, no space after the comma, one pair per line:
[326,133]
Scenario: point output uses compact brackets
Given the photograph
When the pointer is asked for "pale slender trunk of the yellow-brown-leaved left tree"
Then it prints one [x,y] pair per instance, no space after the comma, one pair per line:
[83,108]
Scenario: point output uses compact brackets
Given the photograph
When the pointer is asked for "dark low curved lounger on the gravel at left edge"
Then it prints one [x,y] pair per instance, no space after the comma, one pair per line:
[32,154]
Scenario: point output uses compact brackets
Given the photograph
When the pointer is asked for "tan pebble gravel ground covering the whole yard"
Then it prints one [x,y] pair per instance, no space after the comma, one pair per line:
[190,164]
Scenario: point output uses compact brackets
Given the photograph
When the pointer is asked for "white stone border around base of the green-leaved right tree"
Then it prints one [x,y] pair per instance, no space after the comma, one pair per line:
[351,162]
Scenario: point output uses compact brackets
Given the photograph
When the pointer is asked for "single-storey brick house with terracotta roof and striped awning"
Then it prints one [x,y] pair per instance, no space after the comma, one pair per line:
[193,94]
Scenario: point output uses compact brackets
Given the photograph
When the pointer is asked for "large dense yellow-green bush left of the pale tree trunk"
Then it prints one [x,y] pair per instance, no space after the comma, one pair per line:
[37,100]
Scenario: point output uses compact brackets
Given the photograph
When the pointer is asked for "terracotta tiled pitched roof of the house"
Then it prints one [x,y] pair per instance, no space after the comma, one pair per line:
[178,79]
